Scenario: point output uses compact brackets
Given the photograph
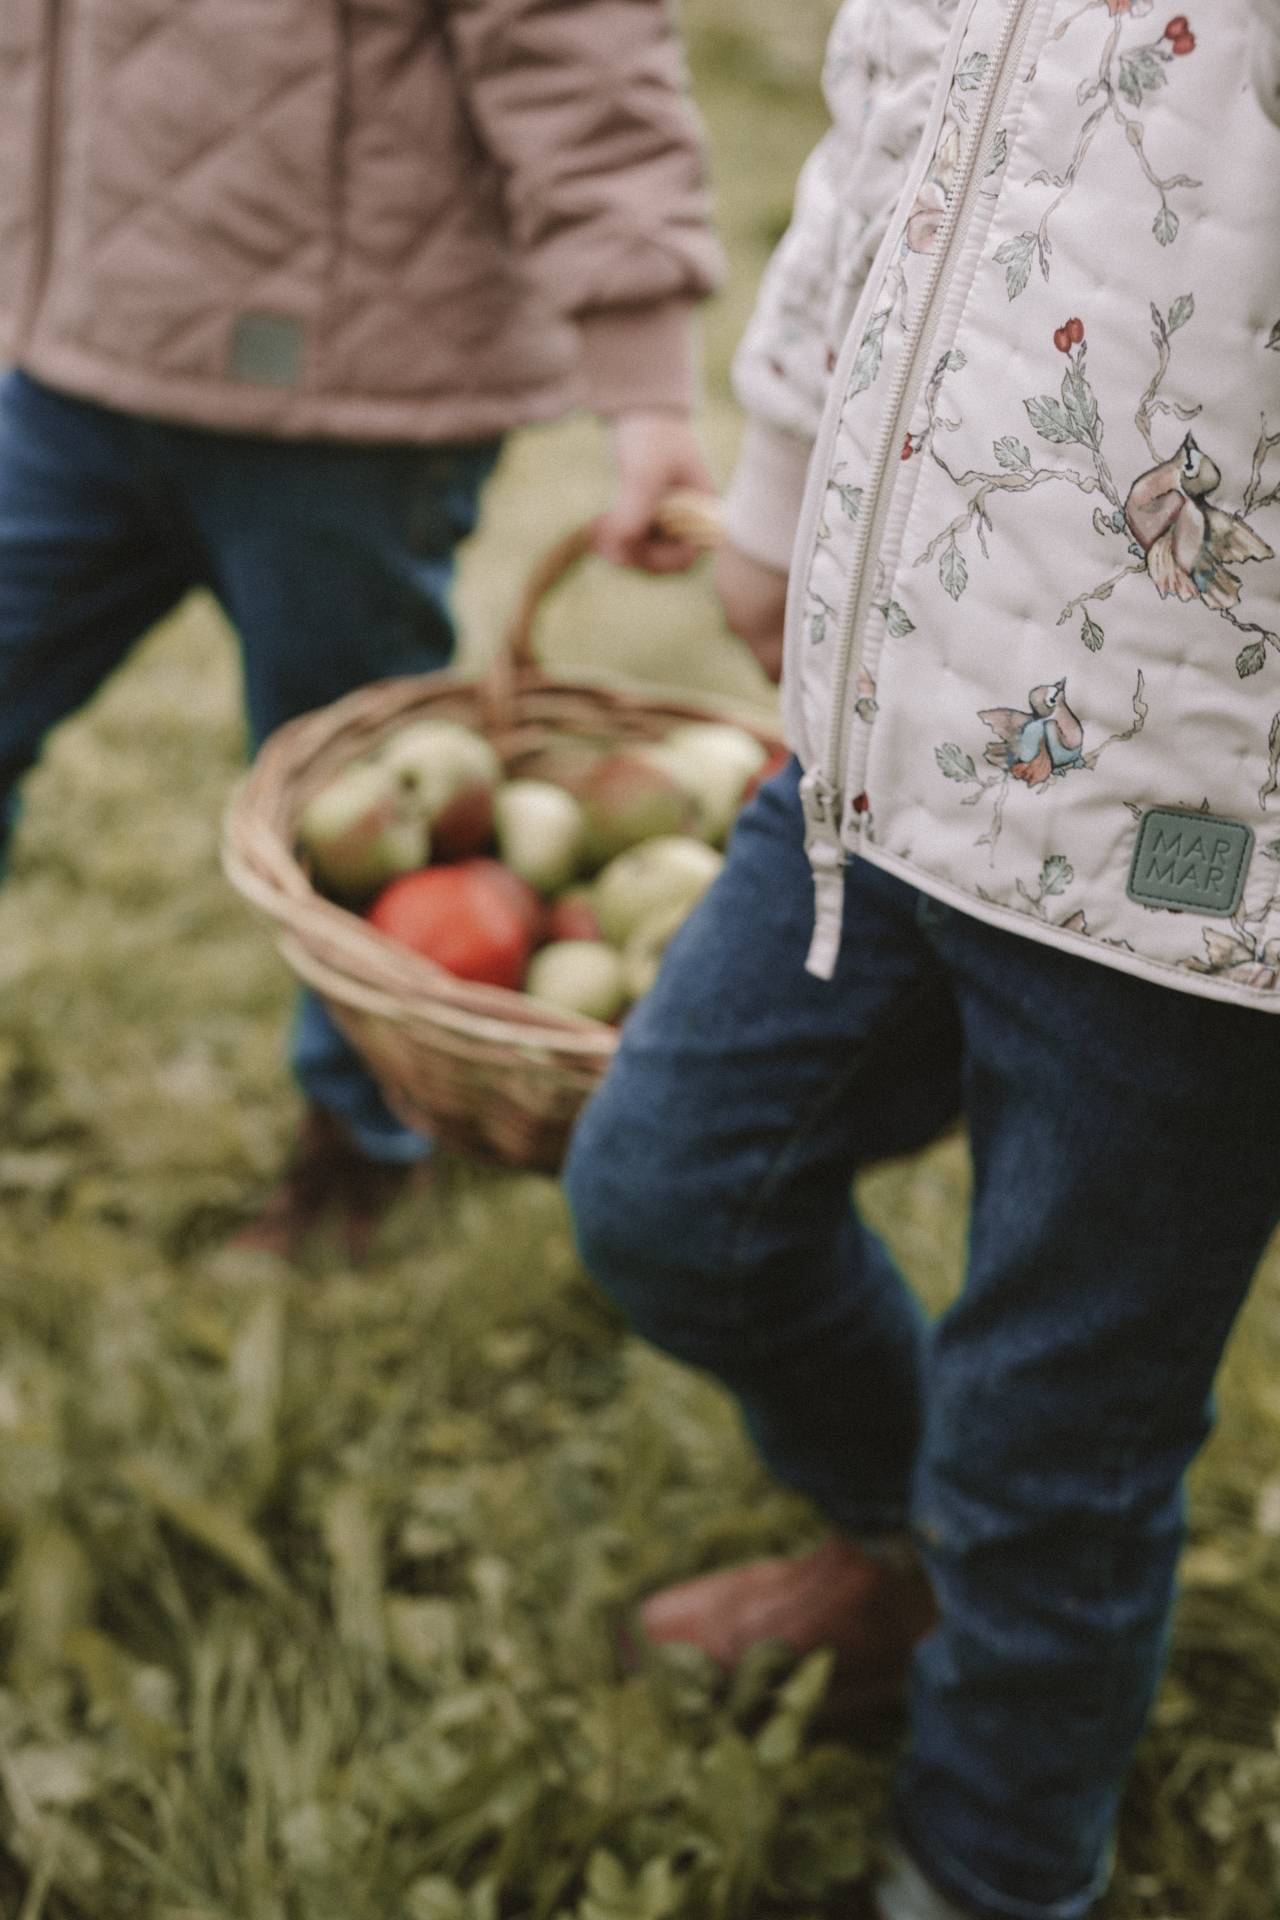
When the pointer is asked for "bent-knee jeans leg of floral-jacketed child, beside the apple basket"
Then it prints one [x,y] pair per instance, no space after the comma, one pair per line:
[711,1176]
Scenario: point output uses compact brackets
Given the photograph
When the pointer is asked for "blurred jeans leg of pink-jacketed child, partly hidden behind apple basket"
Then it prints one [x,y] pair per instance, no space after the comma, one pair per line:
[337,567]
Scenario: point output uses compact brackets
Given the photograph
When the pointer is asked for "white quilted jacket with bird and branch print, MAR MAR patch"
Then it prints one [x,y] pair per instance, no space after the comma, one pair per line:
[1030,314]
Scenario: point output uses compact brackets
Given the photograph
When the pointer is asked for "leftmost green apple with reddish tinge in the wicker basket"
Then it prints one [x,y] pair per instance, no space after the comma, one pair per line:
[362,830]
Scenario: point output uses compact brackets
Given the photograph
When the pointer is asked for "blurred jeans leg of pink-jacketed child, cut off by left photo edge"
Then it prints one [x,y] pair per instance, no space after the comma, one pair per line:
[87,564]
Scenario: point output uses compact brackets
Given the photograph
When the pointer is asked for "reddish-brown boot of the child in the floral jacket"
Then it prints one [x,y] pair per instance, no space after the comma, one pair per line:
[870,1612]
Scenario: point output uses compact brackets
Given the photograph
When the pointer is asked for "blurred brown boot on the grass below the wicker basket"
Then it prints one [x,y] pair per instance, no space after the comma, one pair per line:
[329,1178]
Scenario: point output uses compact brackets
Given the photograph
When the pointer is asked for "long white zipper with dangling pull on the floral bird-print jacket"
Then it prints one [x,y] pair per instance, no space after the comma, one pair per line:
[820,790]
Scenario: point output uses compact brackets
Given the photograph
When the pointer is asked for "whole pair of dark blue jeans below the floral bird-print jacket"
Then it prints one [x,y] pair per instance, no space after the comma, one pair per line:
[1037,1437]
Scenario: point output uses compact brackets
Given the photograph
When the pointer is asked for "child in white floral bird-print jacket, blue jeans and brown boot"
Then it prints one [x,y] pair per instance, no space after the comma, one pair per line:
[1014,395]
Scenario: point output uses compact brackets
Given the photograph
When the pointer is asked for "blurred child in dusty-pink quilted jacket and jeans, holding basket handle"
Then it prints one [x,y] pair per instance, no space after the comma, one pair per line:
[273,285]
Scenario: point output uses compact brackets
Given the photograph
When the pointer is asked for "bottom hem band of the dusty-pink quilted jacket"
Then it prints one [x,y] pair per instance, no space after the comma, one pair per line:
[229,408]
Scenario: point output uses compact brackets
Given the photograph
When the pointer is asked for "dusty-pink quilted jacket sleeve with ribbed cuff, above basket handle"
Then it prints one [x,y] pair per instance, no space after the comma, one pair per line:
[586,110]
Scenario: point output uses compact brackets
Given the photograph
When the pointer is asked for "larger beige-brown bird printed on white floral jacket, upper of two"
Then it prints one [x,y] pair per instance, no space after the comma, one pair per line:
[1187,542]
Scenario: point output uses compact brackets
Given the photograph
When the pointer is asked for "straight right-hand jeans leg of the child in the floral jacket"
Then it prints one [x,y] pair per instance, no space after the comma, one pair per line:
[1126,1188]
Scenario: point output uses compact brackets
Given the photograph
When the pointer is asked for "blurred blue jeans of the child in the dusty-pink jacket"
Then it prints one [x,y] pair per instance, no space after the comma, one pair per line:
[331,562]
